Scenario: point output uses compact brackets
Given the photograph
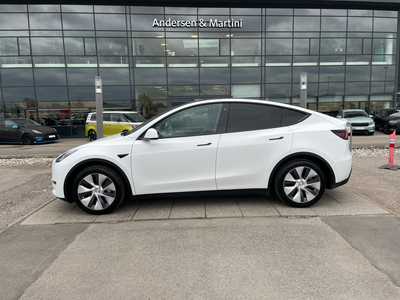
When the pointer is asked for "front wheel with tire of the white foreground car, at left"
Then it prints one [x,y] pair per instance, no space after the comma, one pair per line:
[98,190]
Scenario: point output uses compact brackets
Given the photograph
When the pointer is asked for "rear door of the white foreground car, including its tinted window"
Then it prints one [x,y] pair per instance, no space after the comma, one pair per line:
[254,142]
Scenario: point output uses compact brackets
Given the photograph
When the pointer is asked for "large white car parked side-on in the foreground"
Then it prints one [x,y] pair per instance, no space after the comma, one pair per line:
[212,147]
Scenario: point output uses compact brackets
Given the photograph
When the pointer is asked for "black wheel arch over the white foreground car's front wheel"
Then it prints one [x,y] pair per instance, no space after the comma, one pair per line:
[89,163]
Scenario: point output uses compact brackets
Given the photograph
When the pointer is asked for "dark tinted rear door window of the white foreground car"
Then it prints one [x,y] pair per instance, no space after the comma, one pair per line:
[246,117]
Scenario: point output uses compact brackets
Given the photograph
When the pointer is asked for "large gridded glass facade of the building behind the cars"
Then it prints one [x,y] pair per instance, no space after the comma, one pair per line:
[50,55]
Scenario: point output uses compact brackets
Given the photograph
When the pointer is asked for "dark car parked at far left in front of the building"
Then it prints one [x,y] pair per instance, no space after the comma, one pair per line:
[26,131]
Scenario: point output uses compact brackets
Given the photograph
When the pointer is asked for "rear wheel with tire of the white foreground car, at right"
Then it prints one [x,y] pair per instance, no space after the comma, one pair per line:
[300,190]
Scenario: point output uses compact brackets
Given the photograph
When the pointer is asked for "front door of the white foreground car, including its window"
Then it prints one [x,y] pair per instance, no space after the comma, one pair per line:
[183,158]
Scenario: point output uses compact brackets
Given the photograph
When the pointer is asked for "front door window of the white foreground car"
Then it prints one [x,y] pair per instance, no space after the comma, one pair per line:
[197,120]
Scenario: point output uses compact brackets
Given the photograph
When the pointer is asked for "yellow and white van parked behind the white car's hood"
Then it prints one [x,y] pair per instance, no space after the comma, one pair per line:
[113,122]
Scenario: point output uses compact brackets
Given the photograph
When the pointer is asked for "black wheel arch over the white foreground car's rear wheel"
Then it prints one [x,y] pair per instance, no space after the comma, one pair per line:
[322,163]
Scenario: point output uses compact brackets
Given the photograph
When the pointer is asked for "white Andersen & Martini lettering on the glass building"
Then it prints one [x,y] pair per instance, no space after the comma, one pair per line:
[212,23]
